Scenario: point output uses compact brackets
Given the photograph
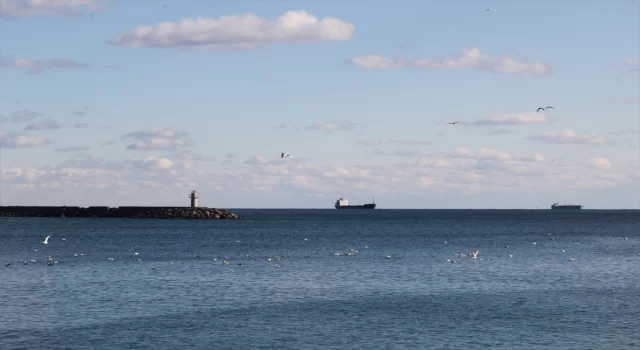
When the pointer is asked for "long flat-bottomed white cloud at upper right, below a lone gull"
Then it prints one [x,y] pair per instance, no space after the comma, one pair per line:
[467,59]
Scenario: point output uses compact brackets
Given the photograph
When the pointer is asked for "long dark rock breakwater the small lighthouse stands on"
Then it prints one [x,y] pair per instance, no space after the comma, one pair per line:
[118,212]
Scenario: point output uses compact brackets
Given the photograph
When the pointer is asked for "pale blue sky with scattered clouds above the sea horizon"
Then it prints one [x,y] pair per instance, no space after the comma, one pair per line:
[139,102]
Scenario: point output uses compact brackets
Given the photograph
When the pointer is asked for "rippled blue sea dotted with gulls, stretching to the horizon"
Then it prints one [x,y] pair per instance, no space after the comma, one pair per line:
[324,279]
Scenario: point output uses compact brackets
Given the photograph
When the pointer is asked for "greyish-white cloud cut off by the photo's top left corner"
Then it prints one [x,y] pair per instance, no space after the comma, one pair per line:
[28,8]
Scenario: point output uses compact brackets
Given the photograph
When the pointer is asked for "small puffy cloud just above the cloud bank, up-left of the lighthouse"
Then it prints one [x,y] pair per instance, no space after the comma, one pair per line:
[157,139]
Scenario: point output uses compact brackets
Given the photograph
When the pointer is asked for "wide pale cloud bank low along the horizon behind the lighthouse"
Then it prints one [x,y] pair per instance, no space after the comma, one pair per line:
[283,183]
